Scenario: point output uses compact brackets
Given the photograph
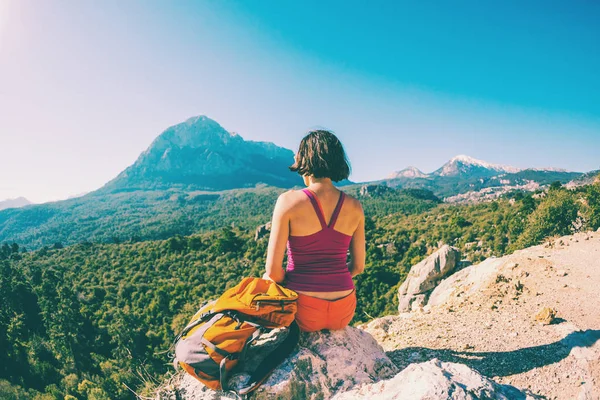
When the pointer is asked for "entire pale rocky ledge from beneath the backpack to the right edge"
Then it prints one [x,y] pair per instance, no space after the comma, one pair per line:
[524,326]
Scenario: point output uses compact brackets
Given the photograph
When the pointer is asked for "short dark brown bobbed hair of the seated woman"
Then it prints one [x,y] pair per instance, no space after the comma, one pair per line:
[322,155]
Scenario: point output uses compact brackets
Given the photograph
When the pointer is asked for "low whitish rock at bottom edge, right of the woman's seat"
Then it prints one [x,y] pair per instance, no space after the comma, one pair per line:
[435,380]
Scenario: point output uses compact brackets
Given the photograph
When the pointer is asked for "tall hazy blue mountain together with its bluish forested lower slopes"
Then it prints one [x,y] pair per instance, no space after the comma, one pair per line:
[194,176]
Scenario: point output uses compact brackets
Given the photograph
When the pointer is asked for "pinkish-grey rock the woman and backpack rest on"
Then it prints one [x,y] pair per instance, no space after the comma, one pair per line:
[323,364]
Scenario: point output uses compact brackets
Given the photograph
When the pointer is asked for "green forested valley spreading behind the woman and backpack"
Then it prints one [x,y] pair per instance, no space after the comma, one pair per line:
[91,319]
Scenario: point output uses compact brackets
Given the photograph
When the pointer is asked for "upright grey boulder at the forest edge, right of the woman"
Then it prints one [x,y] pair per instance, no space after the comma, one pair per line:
[424,277]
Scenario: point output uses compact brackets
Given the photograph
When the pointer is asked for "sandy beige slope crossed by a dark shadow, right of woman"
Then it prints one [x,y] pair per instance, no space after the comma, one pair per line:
[527,320]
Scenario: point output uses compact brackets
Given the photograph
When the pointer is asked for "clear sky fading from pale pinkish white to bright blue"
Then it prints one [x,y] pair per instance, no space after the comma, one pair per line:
[85,86]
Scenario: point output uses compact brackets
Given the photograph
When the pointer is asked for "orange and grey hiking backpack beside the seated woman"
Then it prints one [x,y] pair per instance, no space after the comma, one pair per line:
[219,334]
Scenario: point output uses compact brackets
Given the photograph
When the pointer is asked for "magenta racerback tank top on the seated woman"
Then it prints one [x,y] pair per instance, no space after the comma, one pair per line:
[317,262]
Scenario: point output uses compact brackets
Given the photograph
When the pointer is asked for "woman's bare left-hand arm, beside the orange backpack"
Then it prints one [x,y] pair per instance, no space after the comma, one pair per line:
[280,229]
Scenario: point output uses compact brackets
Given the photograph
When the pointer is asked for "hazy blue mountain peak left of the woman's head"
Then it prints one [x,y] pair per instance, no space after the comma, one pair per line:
[199,154]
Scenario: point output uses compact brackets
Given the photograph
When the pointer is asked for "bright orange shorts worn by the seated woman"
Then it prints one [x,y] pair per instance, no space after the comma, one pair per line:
[315,314]
